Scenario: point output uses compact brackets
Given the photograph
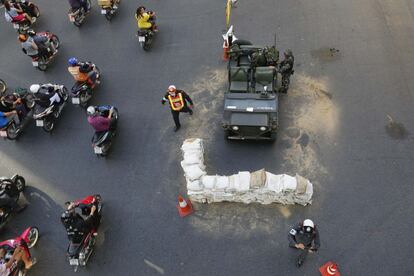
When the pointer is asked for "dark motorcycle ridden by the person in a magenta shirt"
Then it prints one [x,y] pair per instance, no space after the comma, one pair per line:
[102,141]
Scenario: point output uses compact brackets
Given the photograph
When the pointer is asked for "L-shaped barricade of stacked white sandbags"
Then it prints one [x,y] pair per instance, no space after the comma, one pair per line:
[259,186]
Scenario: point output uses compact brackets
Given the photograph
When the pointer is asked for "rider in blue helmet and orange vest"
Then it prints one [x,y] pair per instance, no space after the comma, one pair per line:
[82,72]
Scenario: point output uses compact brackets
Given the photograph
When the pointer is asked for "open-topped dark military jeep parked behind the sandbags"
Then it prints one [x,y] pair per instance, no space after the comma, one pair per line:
[251,100]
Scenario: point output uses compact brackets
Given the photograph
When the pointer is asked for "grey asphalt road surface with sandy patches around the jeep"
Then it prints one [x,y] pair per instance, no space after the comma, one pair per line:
[346,124]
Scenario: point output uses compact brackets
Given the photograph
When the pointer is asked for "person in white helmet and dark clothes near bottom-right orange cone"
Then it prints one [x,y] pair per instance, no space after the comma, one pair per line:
[305,237]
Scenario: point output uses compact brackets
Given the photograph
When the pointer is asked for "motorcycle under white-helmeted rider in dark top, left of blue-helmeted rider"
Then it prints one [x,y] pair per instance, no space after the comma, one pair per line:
[46,117]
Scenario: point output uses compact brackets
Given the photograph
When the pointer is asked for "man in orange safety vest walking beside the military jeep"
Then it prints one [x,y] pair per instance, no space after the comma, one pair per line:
[178,100]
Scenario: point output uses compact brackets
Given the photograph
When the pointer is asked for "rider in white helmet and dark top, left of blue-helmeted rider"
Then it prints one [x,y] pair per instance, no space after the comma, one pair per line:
[48,95]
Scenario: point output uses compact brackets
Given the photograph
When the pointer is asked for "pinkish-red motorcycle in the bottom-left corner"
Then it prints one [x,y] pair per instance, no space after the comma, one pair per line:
[27,240]
